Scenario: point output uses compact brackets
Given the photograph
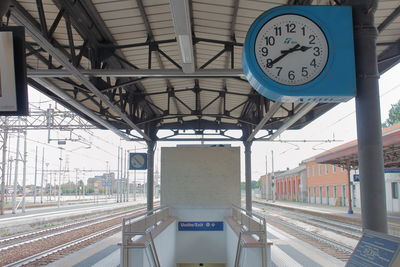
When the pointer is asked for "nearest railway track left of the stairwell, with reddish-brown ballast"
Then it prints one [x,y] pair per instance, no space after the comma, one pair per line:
[42,247]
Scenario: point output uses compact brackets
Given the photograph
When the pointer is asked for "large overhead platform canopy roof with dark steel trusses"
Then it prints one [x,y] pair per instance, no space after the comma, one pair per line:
[119,64]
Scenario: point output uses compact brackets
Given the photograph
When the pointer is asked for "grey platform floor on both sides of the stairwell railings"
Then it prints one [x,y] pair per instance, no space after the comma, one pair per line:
[286,251]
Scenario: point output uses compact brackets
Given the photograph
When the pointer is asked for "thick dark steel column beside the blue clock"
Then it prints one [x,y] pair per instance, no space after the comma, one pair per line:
[369,132]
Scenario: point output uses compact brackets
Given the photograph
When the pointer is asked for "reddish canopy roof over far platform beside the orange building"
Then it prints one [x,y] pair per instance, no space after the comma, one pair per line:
[346,154]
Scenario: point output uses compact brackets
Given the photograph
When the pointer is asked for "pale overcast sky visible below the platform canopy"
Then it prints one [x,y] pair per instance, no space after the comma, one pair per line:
[333,128]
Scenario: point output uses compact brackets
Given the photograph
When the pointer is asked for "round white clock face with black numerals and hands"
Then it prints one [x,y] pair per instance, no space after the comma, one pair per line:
[291,49]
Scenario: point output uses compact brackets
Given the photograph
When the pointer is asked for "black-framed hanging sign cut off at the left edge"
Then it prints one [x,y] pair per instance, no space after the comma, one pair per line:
[13,79]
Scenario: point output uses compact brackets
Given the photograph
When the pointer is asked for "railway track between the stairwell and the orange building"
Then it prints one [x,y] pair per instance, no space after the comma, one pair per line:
[333,237]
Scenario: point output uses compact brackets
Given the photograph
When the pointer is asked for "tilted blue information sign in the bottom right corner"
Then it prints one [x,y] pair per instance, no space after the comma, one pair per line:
[375,249]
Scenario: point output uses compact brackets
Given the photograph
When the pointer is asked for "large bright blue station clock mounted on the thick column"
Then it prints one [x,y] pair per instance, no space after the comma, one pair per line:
[302,54]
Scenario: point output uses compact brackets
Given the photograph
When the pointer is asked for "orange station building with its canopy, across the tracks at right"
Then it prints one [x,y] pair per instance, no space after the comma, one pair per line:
[327,177]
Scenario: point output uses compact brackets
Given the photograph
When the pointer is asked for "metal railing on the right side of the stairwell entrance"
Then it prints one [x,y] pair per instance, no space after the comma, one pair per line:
[253,225]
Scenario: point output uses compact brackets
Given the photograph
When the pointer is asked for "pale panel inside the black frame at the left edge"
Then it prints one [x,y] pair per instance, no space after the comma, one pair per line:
[8,95]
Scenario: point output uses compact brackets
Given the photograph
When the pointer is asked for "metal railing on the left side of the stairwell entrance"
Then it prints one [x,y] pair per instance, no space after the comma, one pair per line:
[142,225]
